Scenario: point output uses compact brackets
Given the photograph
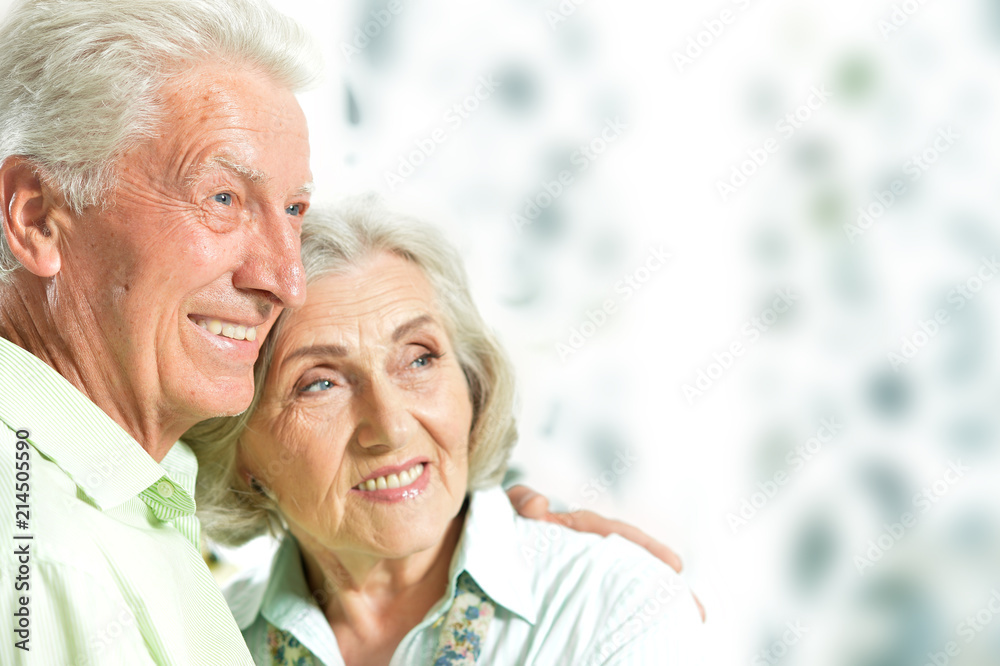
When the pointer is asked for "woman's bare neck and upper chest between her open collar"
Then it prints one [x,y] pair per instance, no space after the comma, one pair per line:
[372,603]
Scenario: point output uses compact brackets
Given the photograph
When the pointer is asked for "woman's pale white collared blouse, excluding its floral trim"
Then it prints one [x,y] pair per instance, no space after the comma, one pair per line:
[561,597]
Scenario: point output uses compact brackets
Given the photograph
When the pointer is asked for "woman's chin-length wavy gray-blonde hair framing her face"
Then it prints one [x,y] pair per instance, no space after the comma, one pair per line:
[333,242]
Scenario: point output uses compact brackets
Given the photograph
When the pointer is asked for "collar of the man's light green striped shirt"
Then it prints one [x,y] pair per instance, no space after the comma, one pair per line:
[101,458]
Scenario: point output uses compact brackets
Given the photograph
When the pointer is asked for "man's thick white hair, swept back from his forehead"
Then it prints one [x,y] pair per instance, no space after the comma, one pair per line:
[81,78]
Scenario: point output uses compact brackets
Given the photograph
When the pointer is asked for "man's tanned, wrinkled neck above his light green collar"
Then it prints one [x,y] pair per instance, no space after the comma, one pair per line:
[79,356]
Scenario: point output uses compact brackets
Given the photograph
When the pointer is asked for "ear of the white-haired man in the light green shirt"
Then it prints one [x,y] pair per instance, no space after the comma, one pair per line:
[33,220]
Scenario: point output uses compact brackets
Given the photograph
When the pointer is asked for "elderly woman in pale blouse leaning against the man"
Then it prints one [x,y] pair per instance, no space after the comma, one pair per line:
[376,442]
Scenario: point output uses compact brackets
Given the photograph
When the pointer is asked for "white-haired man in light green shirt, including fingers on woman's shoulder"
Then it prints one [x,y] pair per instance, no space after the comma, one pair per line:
[154,168]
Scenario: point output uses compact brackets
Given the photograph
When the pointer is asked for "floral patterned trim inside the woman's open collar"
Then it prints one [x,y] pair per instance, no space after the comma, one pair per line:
[462,632]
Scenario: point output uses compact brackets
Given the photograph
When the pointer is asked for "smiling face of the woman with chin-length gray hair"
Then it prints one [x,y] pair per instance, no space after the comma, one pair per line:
[362,432]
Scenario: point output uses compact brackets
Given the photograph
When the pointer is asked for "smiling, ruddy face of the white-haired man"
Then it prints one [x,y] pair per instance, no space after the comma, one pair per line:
[185,270]
